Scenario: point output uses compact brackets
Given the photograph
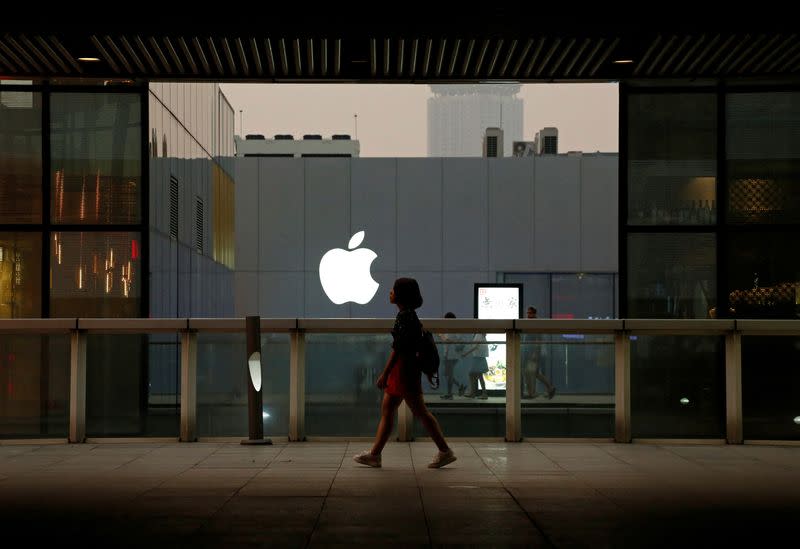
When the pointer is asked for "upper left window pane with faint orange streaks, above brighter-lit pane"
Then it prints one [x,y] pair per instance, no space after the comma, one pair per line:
[96,158]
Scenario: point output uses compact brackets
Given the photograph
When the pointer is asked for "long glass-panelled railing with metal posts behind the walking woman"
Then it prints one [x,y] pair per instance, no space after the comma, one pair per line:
[188,379]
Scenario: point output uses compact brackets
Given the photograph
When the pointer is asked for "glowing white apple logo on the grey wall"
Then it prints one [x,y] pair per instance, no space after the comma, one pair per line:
[345,276]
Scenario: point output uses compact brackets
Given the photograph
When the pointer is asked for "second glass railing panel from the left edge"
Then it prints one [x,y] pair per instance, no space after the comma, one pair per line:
[131,383]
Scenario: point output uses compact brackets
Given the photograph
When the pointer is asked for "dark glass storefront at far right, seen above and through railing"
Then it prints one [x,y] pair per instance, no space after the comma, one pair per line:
[735,263]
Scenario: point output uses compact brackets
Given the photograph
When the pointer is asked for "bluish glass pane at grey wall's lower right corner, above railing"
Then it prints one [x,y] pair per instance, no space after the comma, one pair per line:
[583,296]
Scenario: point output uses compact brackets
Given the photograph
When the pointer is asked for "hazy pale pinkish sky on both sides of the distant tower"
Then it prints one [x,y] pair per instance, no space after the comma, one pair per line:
[392,118]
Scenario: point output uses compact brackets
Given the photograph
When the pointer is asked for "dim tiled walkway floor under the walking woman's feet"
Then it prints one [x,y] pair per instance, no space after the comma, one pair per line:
[566,494]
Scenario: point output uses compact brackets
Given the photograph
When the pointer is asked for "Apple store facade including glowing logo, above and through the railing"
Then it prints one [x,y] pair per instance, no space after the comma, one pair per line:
[326,238]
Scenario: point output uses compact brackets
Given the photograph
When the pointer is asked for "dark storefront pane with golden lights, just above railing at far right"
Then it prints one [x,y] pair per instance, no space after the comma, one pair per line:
[764,275]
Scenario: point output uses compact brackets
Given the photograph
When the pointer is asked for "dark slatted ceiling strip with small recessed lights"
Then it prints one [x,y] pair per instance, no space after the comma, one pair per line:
[465,57]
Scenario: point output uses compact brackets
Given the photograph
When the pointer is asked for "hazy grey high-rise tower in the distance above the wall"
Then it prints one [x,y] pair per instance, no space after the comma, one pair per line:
[458,116]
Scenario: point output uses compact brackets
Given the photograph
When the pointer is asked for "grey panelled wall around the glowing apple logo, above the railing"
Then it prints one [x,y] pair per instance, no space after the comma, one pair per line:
[547,222]
